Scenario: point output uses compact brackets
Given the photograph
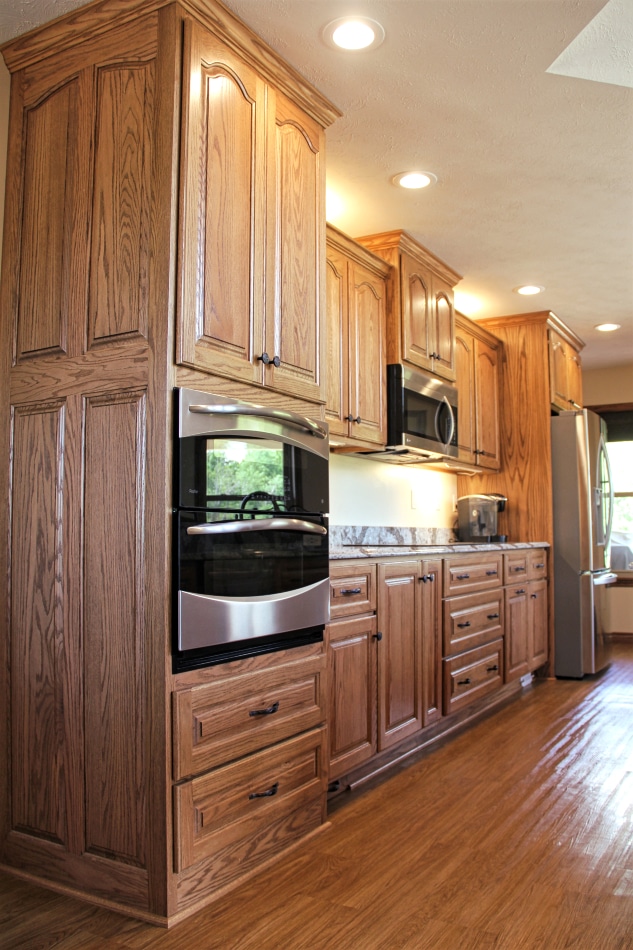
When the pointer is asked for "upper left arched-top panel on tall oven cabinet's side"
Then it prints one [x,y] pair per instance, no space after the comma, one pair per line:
[49,183]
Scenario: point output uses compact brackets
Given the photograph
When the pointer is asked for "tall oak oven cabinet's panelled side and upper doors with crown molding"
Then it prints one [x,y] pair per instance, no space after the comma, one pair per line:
[106,306]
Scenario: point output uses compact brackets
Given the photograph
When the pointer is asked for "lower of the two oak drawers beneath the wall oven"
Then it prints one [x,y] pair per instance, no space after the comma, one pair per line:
[243,813]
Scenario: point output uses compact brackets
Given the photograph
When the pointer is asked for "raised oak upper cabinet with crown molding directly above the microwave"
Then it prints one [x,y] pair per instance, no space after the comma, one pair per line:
[420,316]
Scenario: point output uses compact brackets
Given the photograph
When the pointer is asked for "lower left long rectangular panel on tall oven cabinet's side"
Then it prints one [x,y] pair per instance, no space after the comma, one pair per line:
[36,618]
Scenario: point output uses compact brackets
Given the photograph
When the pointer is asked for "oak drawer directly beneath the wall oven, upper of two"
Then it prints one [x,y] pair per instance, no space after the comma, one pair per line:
[217,722]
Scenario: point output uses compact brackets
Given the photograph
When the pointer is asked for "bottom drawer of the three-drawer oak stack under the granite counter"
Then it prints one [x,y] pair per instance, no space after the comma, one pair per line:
[471,675]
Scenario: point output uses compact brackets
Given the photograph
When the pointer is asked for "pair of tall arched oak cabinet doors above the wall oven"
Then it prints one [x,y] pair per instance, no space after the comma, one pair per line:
[252,226]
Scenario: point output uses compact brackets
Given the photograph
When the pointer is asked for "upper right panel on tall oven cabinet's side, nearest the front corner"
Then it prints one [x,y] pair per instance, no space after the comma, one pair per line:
[121,202]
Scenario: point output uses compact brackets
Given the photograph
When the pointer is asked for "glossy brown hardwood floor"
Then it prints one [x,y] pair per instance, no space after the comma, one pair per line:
[517,834]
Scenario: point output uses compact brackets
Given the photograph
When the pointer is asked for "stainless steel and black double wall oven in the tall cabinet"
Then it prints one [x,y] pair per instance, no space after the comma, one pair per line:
[251,539]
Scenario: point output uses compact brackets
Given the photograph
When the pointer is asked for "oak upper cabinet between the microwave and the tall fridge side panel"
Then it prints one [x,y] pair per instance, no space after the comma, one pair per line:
[477,362]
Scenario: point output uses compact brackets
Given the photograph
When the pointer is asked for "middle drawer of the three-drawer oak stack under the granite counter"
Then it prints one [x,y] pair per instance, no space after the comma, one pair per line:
[472,621]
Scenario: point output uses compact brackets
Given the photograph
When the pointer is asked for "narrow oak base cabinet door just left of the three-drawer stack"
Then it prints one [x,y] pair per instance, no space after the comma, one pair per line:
[431,596]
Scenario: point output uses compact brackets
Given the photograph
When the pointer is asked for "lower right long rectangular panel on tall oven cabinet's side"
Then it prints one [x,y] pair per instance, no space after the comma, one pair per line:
[114,626]
